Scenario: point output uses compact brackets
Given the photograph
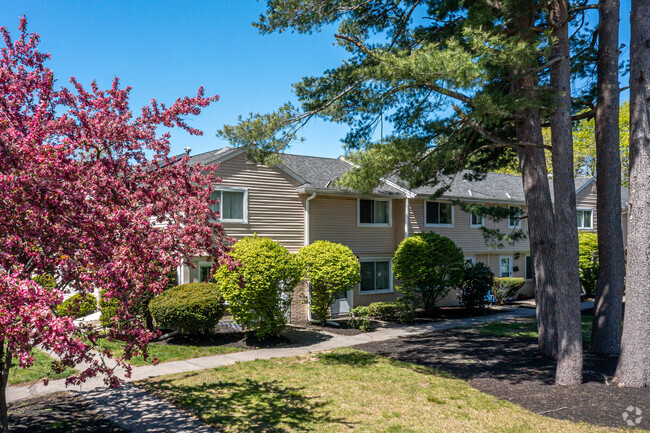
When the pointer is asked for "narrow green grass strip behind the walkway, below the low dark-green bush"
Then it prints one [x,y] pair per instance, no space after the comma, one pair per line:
[170,352]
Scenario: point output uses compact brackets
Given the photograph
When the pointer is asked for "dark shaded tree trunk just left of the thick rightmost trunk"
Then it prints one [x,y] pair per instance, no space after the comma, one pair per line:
[608,307]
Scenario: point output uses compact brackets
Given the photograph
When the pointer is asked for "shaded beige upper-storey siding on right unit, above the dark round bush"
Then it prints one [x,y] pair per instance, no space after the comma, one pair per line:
[470,239]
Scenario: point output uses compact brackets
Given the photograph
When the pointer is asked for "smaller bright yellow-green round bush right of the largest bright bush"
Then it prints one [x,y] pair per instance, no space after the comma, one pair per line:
[332,269]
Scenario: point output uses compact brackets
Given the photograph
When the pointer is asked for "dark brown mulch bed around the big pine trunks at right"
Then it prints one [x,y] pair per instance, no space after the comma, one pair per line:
[513,369]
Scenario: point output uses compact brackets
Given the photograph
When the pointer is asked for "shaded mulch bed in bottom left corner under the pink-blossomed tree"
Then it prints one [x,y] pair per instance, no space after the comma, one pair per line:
[61,412]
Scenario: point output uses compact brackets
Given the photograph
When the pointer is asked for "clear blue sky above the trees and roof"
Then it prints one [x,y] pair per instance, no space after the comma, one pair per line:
[167,49]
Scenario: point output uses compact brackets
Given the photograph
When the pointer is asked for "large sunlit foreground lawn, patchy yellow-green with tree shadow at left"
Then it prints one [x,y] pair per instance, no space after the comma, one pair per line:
[341,391]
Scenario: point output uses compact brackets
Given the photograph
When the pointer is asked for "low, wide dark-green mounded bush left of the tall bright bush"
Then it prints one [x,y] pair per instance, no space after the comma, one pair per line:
[193,308]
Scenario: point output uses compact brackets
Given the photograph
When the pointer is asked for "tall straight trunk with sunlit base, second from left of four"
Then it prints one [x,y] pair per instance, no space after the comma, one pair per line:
[567,295]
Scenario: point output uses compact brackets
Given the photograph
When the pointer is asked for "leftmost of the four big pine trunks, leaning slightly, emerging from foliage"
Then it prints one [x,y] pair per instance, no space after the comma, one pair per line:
[540,229]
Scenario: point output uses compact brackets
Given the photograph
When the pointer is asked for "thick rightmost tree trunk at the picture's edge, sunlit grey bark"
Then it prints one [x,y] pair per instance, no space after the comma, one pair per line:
[634,364]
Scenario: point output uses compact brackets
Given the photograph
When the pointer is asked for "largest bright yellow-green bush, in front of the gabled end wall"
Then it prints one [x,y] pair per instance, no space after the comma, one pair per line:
[259,291]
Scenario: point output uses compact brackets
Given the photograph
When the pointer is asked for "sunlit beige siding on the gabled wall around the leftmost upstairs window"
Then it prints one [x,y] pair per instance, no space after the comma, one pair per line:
[275,209]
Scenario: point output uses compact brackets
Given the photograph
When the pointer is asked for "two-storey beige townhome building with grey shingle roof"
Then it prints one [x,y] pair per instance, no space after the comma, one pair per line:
[298,202]
